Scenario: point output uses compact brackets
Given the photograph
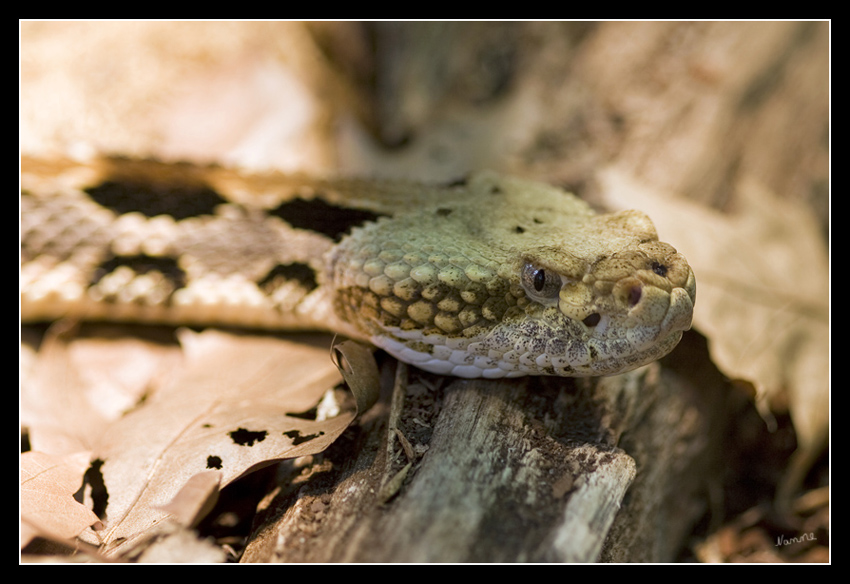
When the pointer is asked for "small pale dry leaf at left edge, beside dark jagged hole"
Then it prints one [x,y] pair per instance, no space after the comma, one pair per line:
[48,507]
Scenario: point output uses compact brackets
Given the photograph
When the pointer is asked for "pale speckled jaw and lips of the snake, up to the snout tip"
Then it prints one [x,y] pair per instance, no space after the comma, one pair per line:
[542,340]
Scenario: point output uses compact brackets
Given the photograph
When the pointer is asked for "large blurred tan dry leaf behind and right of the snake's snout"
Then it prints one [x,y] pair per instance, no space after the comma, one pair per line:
[762,296]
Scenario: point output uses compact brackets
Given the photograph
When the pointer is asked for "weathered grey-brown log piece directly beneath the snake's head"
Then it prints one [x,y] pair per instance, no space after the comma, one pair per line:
[512,471]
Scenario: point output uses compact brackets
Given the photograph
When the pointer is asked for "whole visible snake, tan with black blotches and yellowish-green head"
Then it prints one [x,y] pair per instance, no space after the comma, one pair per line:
[495,277]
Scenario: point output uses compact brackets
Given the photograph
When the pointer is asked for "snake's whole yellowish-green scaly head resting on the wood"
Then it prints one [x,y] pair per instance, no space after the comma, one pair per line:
[515,278]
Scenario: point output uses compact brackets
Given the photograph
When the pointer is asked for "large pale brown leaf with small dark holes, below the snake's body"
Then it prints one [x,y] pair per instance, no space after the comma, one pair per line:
[230,410]
